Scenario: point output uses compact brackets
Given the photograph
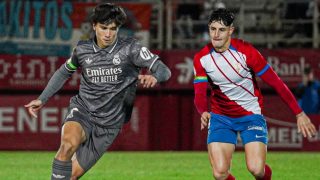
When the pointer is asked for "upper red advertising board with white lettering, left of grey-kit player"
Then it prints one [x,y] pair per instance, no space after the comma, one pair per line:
[31,72]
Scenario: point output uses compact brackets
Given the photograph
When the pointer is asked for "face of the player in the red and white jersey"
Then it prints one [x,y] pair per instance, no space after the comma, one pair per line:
[220,35]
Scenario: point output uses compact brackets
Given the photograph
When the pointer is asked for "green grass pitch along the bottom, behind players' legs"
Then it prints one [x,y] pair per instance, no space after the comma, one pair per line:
[160,166]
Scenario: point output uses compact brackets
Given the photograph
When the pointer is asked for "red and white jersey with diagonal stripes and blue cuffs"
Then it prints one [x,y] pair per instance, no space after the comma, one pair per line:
[231,75]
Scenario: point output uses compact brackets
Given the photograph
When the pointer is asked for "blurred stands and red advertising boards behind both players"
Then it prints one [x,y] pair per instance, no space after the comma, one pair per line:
[36,37]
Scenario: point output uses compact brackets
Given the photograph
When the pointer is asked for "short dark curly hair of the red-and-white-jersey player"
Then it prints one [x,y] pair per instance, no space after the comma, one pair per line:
[221,15]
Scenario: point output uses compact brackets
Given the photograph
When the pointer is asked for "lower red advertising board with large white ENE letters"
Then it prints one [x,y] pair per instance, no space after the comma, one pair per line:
[18,131]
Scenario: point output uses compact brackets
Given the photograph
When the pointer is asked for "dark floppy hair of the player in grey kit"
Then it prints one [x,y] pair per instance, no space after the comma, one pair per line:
[107,13]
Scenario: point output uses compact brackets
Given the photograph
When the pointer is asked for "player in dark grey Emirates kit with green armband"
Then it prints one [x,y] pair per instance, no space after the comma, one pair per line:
[110,67]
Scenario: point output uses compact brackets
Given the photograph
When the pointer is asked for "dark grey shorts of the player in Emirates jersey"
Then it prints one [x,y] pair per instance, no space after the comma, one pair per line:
[98,139]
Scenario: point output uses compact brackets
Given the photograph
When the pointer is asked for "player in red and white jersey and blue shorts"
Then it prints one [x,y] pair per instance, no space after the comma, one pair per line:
[230,66]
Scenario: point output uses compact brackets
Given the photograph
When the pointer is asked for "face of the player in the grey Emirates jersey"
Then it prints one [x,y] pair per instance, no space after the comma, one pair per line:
[105,34]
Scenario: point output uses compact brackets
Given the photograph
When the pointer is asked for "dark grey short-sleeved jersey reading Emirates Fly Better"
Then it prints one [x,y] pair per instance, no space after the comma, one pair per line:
[109,78]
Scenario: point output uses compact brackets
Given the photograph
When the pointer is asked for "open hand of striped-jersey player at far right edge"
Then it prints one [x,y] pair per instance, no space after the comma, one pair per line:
[305,125]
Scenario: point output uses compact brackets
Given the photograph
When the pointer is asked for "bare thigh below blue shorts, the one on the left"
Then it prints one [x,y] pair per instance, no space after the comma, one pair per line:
[220,155]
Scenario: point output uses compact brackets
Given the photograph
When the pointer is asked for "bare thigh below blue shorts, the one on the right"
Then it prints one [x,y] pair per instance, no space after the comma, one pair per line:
[255,155]
